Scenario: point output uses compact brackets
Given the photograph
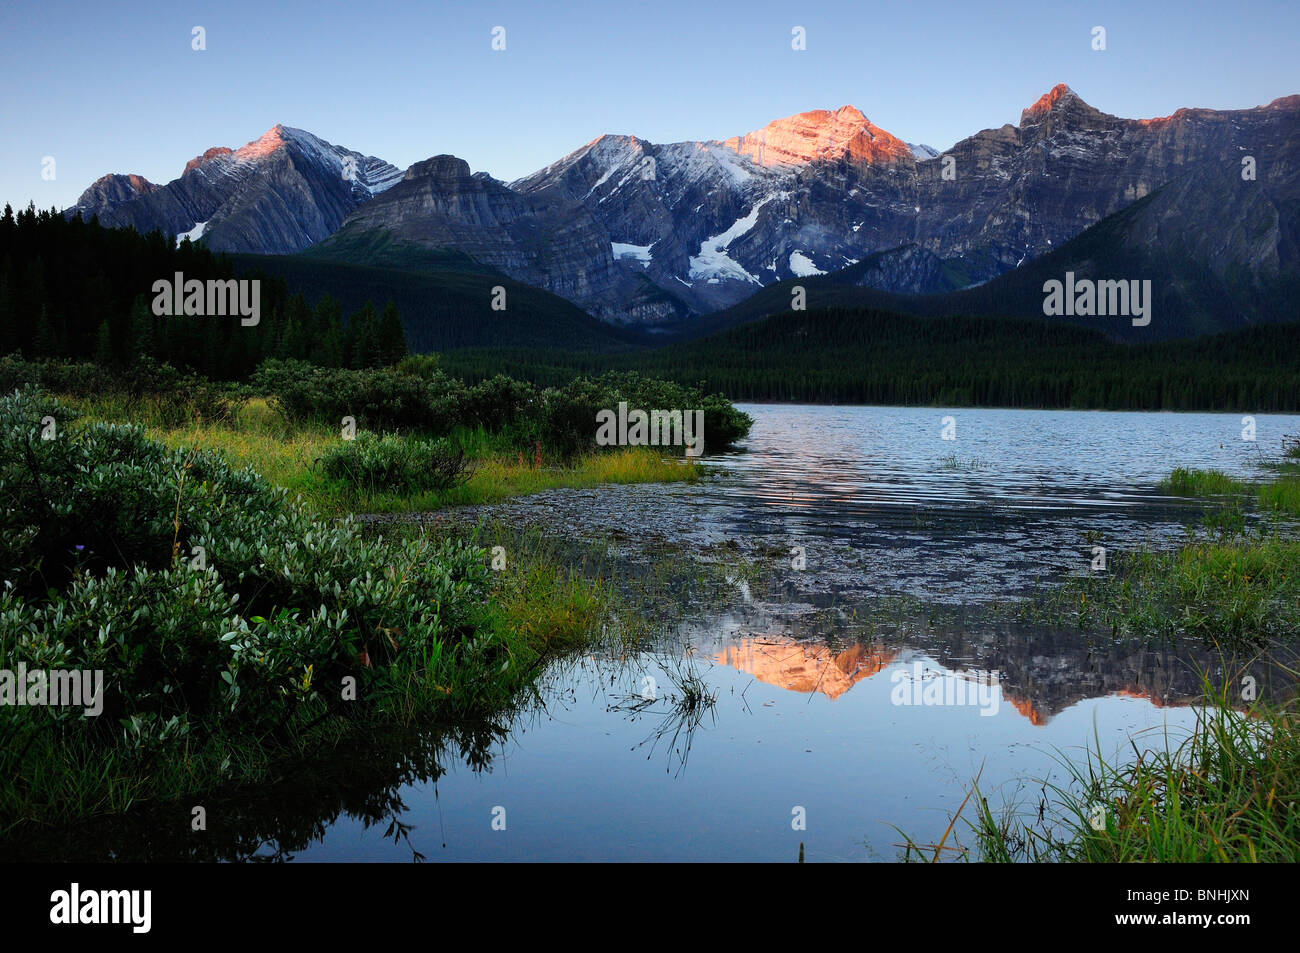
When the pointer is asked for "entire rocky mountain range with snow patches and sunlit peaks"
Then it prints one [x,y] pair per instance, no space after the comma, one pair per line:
[657,236]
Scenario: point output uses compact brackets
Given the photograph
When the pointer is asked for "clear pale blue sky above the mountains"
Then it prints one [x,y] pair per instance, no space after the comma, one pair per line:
[116,88]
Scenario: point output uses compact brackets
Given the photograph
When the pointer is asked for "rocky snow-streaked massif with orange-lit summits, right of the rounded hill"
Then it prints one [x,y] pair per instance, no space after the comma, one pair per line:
[824,190]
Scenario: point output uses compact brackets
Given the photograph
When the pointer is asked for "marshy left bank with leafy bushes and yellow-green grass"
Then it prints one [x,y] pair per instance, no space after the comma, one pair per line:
[241,629]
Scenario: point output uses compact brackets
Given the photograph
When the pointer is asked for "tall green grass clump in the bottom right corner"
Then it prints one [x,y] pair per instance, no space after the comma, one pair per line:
[1228,792]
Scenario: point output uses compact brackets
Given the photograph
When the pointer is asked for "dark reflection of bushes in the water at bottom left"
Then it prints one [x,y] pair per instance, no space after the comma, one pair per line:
[271,825]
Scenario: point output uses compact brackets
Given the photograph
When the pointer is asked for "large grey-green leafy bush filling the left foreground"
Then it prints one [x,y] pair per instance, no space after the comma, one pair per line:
[205,595]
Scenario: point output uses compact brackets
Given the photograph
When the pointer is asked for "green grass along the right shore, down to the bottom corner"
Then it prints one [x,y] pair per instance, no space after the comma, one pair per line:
[1230,790]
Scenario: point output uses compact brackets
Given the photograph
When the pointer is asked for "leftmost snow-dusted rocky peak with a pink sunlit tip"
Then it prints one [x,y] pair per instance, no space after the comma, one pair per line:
[279,194]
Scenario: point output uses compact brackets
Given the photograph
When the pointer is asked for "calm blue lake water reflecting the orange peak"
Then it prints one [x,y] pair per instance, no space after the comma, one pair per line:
[856,733]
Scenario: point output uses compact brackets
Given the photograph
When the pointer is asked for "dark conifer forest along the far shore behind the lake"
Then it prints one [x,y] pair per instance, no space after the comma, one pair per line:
[885,358]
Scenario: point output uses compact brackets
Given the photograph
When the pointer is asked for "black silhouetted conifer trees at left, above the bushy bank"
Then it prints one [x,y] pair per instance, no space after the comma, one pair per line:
[72,289]
